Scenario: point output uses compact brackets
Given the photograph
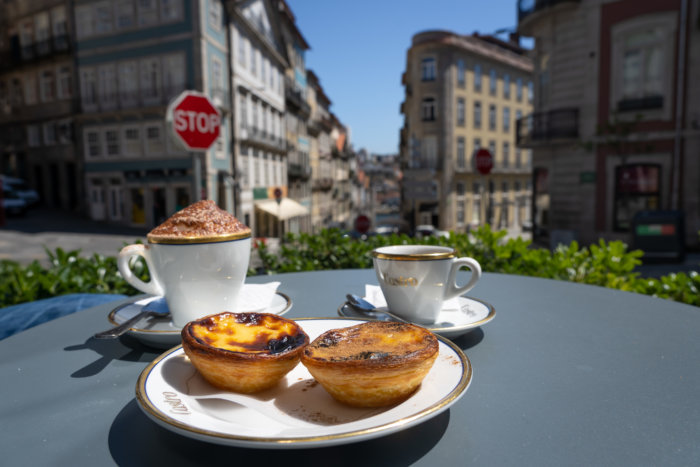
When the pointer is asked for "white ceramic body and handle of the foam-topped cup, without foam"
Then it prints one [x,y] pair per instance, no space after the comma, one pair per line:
[196,279]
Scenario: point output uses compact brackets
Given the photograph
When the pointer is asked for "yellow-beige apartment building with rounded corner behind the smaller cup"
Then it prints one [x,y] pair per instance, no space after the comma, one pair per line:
[463,93]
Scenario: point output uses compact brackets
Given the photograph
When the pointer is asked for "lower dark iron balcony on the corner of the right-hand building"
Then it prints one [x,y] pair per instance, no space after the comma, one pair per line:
[547,127]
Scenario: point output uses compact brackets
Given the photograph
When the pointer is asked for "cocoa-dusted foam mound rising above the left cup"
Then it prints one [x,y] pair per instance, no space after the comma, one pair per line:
[201,222]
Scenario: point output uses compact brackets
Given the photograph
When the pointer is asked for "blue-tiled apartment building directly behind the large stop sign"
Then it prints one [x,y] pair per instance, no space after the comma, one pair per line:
[133,58]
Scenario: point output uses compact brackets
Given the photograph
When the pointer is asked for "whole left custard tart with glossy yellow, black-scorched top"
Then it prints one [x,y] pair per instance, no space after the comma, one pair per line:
[243,352]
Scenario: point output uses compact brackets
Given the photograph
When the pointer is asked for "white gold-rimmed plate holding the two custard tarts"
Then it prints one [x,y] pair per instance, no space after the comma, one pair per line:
[297,413]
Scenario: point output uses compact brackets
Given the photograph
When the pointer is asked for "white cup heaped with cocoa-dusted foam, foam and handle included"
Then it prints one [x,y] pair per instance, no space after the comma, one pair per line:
[197,259]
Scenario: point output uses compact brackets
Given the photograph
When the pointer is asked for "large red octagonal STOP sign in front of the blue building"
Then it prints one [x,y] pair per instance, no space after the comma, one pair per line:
[195,122]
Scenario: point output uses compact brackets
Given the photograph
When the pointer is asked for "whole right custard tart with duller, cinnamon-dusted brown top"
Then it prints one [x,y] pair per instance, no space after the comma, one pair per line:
[371,364]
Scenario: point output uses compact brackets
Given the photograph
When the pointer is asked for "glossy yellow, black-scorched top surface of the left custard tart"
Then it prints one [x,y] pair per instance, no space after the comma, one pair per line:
[246,333]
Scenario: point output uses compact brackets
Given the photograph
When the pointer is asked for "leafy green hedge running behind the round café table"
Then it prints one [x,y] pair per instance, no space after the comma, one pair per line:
[608,264]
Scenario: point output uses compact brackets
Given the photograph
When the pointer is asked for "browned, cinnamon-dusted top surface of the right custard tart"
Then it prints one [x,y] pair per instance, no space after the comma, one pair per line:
[375,343]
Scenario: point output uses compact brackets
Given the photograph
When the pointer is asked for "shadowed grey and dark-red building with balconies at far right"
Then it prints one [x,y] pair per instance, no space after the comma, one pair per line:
[618,77]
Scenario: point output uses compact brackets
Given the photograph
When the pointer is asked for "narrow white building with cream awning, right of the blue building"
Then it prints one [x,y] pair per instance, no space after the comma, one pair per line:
[258,59]
